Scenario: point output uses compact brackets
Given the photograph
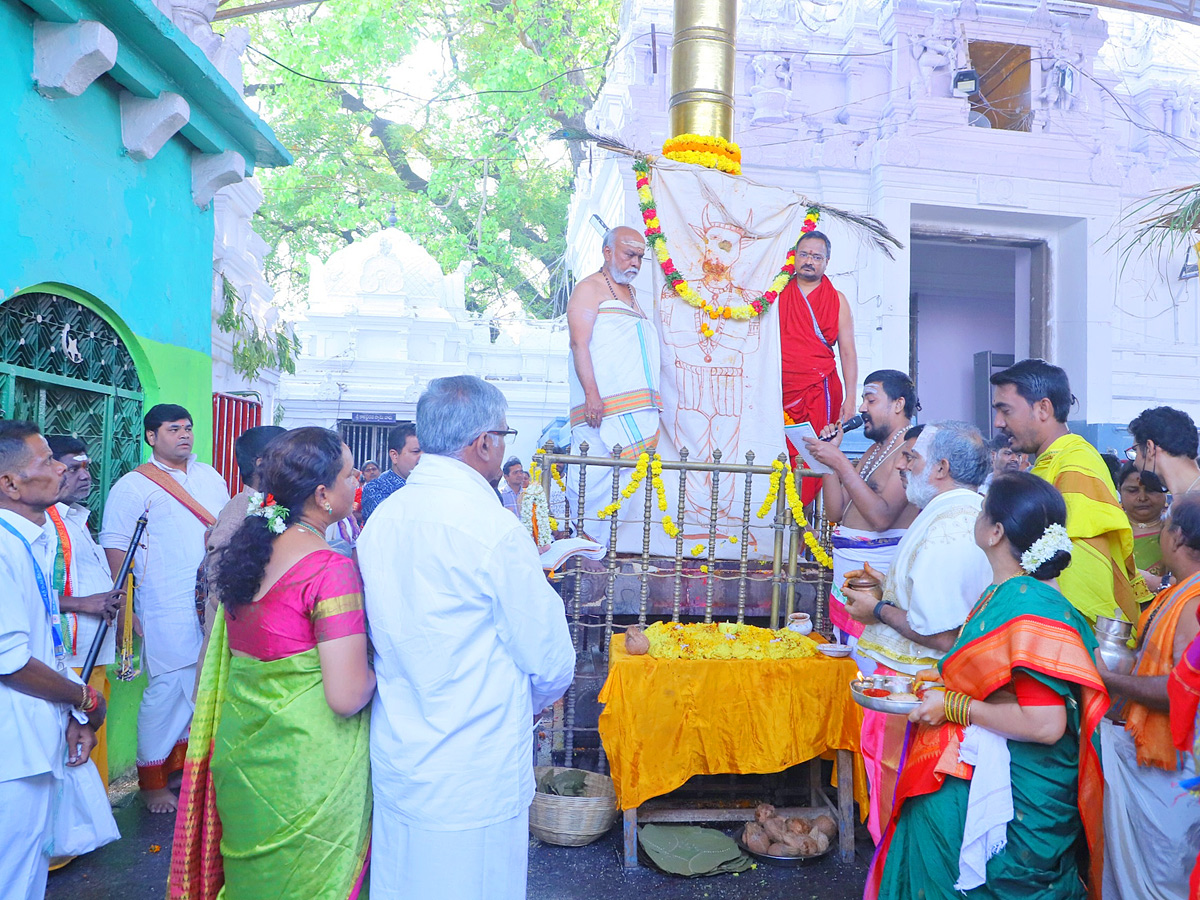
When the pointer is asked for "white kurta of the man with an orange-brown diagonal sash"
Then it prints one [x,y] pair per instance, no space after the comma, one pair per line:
[166,567]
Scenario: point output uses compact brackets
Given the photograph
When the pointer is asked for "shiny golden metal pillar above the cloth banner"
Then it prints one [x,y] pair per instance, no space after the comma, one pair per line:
[703,68]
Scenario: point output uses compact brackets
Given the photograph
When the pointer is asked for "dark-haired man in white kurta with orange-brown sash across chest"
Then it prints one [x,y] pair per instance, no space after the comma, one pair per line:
[182,499]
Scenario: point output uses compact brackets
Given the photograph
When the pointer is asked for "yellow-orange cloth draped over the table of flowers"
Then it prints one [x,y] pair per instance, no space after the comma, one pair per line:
[668,721]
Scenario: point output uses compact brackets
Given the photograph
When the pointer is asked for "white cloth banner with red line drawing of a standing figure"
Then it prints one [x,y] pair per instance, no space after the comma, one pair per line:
[729,238]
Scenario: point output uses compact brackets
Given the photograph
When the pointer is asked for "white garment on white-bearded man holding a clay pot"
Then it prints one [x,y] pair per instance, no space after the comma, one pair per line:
[938,577]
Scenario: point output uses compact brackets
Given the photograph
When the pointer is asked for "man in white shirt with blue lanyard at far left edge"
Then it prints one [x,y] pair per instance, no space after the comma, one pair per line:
[38,691]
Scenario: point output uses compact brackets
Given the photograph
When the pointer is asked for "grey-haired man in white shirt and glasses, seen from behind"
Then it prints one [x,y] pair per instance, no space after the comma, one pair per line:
[471,644]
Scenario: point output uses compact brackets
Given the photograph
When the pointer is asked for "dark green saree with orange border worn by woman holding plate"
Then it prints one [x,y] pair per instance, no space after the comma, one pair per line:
[1025,626]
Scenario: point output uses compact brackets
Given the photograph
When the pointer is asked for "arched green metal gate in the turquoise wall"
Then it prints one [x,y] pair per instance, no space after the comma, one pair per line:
[65,369]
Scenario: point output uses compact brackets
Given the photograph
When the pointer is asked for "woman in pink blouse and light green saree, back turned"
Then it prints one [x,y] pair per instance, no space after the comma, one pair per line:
[277,796]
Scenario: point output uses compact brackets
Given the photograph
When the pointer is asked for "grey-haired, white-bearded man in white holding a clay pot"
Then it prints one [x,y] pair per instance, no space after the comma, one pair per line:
[938,577]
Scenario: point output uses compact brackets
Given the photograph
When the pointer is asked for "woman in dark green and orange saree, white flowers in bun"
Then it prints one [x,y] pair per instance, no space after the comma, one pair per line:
[1001,794]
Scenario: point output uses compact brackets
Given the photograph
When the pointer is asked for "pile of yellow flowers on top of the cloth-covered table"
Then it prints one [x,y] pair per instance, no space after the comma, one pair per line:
[727,640]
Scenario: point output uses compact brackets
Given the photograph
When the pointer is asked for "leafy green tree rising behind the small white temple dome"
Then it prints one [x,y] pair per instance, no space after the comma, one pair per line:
[441,112]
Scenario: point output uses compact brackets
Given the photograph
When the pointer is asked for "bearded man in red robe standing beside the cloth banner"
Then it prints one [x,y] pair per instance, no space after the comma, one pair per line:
[813,317]
